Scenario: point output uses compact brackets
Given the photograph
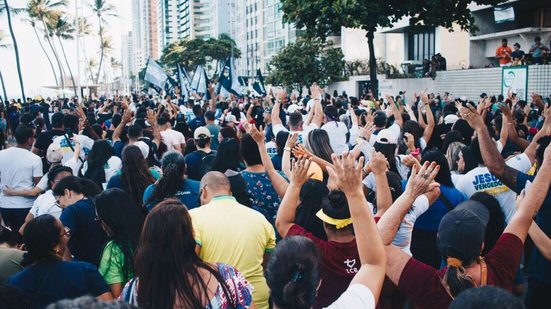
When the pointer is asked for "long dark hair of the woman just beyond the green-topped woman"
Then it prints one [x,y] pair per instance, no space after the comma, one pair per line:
[135,175]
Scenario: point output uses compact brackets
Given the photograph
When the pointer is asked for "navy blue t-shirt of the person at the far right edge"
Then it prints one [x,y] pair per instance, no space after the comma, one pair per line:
[539,267]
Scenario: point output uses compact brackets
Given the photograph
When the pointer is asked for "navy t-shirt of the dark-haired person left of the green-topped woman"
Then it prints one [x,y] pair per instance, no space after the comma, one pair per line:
[87,236]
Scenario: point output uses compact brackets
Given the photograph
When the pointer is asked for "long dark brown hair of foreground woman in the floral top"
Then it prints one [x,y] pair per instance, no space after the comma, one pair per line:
[168,270]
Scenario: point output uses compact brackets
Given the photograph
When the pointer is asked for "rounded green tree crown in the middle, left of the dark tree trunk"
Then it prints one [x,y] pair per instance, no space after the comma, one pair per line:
[306,61]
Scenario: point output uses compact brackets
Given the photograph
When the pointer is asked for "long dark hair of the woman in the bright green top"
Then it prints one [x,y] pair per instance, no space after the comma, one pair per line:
[124,222]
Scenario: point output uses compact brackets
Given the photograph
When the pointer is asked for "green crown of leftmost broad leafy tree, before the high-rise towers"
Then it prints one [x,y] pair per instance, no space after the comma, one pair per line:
[191,53]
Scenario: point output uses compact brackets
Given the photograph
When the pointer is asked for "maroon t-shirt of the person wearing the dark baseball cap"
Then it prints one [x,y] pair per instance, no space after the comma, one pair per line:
[422,283]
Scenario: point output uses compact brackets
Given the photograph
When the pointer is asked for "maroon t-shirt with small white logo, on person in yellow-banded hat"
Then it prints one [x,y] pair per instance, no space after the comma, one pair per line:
[339,263]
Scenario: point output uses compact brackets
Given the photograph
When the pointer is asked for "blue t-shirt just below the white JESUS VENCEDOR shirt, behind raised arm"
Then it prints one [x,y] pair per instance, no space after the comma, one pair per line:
[430,220]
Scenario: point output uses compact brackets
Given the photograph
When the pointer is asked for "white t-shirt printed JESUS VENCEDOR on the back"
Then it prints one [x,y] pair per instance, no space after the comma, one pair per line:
[481,180]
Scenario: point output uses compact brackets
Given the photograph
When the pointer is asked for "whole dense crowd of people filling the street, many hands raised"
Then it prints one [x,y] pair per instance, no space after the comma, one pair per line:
[322,201]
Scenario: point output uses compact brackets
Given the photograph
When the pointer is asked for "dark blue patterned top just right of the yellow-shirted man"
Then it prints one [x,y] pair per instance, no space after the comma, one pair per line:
[265,198]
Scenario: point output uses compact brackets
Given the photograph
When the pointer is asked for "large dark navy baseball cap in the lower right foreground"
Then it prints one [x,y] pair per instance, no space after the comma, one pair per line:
[462,230]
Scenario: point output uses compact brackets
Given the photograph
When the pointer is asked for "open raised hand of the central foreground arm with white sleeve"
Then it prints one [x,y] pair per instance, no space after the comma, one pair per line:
[349,173]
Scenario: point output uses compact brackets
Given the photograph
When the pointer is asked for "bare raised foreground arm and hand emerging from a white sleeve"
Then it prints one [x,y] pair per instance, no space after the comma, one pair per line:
[370,247]
